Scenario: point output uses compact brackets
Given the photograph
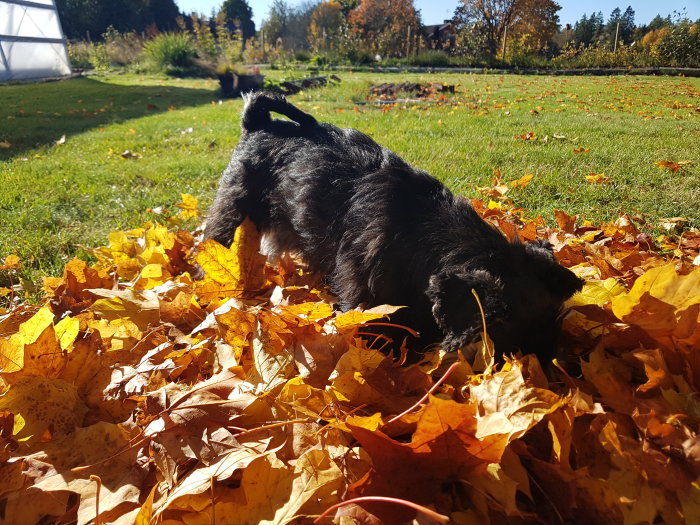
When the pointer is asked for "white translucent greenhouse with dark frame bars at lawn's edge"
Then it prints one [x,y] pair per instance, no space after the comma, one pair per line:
[32,45]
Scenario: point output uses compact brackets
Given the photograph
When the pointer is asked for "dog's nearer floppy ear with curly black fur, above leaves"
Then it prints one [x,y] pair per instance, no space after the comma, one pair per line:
[455,309]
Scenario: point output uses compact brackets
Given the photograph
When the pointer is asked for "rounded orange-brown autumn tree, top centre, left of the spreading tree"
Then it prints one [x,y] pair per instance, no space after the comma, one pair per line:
[385,25]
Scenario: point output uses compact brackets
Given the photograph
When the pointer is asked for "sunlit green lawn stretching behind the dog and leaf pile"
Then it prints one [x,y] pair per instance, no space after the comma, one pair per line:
[59,199]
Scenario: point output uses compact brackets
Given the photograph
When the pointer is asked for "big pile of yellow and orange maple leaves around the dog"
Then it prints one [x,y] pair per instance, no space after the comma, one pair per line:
[137,394]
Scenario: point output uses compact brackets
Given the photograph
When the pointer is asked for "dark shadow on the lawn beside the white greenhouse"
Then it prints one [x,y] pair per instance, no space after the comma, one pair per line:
[34,115]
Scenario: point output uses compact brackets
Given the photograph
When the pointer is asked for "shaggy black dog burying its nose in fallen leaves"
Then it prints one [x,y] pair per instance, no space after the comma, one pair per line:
[384,232]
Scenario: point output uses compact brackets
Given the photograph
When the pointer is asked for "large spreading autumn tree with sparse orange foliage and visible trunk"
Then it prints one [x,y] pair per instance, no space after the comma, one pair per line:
[492,18]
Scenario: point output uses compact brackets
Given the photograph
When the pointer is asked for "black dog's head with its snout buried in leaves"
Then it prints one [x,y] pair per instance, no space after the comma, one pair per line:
[521,289]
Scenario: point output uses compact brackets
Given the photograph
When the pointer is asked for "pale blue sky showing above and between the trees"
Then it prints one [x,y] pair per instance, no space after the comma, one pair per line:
[435,11]
